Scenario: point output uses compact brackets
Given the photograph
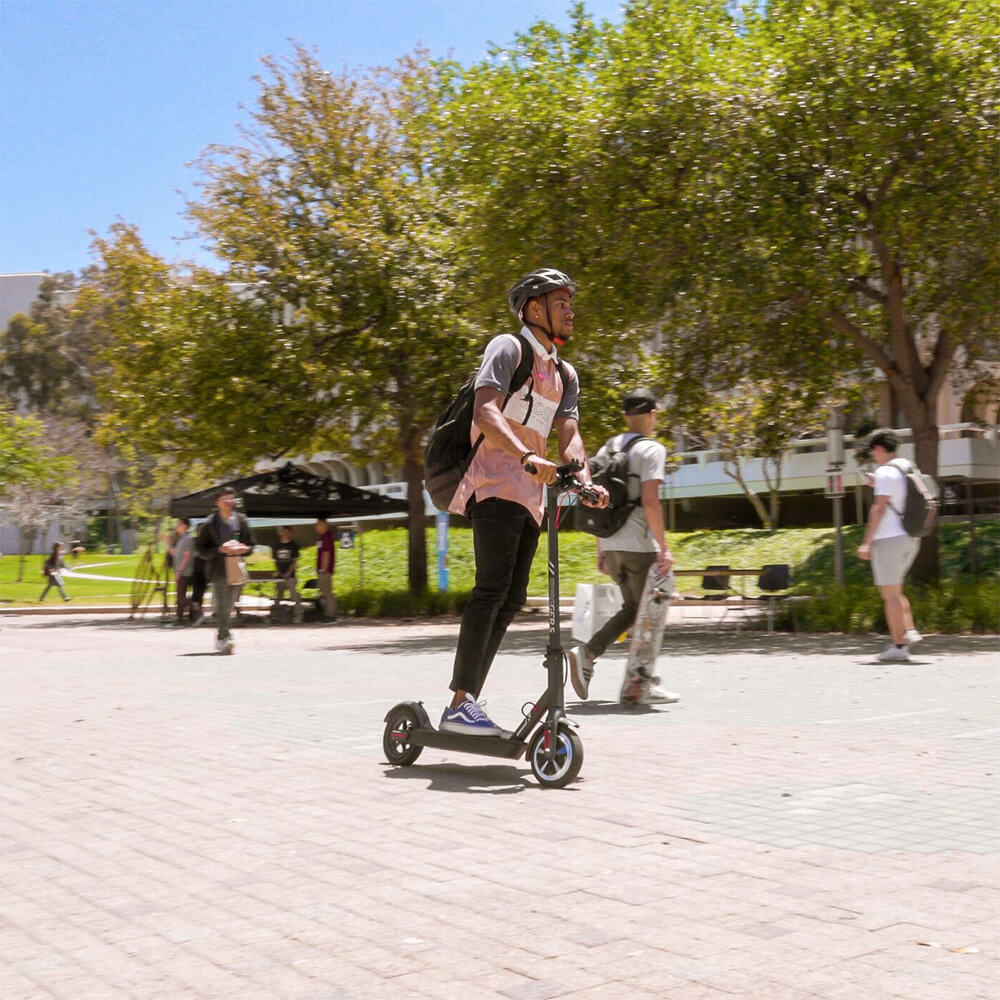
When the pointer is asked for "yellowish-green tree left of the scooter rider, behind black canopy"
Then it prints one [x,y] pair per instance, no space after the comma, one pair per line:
[335,322]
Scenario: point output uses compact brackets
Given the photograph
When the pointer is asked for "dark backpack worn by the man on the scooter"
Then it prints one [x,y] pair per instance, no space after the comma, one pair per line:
[449,450]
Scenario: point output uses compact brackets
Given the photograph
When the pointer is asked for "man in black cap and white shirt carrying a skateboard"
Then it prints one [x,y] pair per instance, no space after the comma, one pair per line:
[628,555]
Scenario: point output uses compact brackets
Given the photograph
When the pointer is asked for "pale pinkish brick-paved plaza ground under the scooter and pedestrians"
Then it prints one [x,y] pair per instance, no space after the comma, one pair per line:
[806,823]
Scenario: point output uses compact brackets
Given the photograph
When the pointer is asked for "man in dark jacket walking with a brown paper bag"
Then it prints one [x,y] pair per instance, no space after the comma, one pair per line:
[222,542]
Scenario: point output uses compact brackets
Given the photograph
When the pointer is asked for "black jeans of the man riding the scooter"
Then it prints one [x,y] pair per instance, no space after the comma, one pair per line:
[505,537]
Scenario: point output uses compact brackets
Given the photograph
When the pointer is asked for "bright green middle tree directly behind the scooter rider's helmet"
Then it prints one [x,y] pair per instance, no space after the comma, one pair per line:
[580,149]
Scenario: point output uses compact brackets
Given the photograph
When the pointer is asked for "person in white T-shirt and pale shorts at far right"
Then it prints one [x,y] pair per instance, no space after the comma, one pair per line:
[888,547]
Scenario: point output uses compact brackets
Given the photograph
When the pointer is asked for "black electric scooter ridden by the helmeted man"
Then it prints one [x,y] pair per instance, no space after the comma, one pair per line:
[546,735]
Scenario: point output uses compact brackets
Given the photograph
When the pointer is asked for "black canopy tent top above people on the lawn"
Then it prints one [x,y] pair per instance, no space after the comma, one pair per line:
[293,493]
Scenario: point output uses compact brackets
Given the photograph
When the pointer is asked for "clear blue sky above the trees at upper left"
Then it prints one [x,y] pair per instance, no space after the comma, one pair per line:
[103,103]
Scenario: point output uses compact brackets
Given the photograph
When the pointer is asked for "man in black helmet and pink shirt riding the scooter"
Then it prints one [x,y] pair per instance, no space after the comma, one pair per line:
[502,491]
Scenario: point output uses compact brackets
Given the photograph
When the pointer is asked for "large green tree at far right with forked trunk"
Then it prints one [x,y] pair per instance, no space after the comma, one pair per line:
[859,189]
